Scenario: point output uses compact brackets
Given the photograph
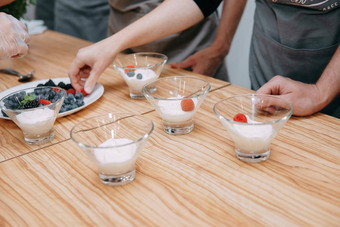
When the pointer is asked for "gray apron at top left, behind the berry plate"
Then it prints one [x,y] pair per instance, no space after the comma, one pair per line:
[80,18]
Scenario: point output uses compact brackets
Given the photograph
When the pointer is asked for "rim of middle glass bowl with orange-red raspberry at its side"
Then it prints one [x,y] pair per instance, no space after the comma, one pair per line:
[200,93]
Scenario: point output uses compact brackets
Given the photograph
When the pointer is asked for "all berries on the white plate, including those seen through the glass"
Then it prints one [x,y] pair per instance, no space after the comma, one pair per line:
[72,100]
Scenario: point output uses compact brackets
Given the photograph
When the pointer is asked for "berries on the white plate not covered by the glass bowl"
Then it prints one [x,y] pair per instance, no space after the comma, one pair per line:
[72,100]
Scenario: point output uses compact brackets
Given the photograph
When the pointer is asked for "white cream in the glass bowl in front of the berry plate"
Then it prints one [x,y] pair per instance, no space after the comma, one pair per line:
[36,122]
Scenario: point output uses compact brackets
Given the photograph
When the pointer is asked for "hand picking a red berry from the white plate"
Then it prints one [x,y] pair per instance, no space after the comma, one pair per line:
[89,64]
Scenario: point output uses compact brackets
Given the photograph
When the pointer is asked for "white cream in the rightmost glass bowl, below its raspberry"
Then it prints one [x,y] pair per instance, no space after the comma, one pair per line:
[250,138]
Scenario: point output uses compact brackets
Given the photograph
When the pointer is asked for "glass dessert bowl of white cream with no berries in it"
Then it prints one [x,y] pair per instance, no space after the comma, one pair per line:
[113,141]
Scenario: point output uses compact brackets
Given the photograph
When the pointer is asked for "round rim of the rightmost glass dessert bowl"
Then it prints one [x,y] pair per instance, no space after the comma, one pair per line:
[285,118]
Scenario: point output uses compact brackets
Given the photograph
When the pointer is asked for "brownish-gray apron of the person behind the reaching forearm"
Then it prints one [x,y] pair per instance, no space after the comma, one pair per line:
[177,46]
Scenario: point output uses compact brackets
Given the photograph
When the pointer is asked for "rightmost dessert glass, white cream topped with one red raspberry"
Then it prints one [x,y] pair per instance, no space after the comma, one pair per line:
[253,121]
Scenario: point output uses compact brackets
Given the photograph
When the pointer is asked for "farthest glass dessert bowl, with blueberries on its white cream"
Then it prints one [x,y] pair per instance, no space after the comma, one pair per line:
[139,69]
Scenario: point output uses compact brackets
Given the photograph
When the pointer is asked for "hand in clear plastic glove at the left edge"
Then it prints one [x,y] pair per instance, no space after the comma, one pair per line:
[13,37]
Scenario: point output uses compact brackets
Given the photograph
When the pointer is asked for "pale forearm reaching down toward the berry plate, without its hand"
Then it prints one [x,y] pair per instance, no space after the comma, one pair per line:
[170,17]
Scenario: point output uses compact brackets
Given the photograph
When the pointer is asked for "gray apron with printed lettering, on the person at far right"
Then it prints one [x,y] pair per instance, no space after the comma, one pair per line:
[294,40]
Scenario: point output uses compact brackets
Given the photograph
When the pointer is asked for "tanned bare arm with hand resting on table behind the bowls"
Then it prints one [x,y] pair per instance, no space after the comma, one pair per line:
[209,59]
